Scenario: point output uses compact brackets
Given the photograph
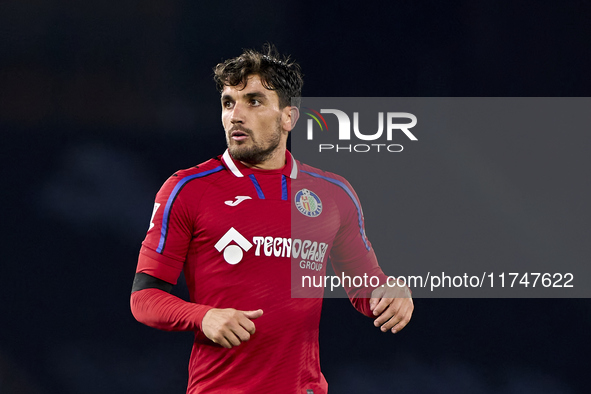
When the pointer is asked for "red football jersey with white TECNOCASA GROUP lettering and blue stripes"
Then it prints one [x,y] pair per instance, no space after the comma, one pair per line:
[243,237]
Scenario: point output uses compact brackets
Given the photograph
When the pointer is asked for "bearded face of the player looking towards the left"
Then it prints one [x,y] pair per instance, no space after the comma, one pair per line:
[255,125]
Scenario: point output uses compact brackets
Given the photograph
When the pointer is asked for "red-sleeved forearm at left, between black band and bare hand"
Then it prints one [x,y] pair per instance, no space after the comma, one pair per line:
[159,309]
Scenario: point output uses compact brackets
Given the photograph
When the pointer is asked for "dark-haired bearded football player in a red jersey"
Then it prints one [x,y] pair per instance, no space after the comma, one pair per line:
[234,224]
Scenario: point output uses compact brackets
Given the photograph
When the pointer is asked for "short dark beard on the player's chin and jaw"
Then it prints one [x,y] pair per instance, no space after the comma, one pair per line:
[257,151]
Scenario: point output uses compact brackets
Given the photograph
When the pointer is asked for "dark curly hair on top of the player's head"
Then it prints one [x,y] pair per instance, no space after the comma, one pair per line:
[277,73]
